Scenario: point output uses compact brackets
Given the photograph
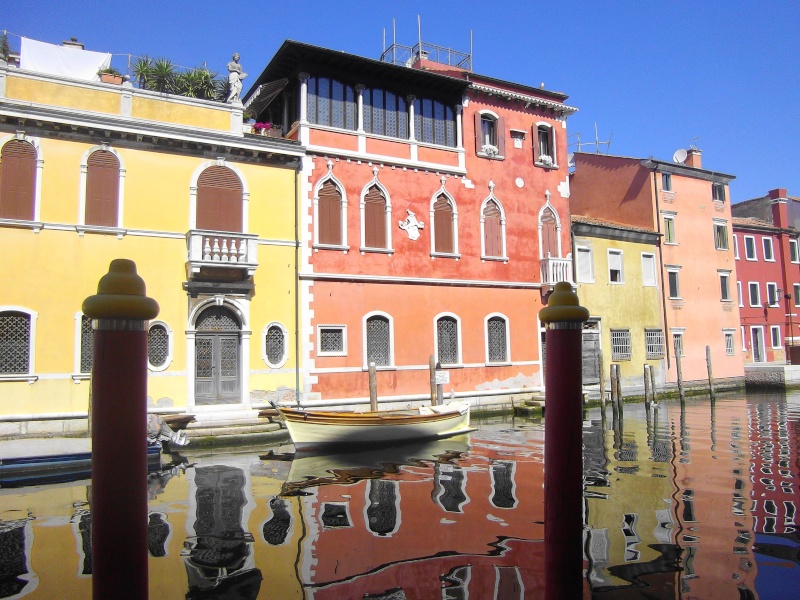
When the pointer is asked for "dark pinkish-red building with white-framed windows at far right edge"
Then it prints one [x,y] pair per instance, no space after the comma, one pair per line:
[768,274]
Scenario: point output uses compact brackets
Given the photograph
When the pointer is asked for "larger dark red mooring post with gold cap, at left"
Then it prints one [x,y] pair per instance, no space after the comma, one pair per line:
[119,312]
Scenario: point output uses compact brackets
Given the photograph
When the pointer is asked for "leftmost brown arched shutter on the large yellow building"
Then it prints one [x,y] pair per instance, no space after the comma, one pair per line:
[17,180]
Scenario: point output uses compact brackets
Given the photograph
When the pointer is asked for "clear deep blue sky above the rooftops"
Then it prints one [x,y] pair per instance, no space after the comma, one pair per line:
[652,75]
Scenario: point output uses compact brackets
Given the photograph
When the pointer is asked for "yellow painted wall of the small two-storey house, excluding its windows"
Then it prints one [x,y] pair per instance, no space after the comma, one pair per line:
[630,305]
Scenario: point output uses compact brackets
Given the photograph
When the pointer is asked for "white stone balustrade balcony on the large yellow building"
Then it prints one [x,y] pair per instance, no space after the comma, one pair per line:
[221,252]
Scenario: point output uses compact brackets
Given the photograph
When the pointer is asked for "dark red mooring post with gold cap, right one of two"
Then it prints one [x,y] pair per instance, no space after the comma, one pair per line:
[563,445]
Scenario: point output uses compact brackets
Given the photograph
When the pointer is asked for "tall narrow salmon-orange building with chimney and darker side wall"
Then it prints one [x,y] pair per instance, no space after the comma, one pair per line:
[689,208]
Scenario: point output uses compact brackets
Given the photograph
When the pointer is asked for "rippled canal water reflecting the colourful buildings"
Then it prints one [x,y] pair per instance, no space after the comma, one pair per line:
[686,502]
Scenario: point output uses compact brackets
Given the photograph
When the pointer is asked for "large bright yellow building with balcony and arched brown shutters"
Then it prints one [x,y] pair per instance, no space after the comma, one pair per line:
[90,172]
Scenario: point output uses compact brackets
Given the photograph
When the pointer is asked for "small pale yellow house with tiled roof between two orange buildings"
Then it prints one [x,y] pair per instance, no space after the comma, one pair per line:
[617,275]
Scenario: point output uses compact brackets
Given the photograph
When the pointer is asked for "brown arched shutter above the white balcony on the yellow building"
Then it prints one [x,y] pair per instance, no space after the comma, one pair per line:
[219,200]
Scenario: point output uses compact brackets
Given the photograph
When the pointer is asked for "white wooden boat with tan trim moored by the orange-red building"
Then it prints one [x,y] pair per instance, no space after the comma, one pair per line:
[313,429]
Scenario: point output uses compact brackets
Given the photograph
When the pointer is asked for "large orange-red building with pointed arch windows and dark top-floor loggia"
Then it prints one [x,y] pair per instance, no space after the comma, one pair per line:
[434,216]
